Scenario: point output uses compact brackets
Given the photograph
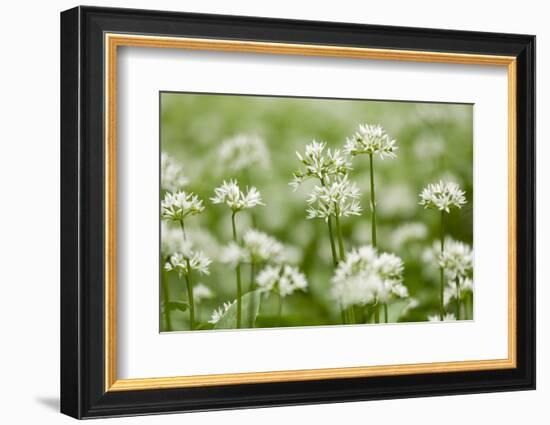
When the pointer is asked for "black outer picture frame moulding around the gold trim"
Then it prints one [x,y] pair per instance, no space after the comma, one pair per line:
[83,392]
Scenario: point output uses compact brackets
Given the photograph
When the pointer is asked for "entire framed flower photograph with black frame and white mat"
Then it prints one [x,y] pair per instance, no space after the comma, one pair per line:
[261,212]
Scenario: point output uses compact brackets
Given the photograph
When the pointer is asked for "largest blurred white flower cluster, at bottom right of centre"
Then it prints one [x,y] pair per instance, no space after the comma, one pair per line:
[367,276]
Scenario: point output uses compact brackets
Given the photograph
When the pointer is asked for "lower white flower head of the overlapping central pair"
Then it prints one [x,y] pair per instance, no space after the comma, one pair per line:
[338,198]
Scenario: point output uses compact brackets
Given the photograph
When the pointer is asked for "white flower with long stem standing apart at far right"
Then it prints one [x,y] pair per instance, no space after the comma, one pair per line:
[442,197]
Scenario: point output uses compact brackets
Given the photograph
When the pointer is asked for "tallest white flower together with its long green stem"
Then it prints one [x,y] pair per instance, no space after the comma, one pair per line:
[371,140]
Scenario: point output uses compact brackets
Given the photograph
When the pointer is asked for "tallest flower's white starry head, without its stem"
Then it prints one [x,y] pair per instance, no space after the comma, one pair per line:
[371,139]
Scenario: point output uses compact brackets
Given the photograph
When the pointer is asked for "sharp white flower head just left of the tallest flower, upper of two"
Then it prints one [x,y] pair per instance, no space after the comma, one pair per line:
[320,163]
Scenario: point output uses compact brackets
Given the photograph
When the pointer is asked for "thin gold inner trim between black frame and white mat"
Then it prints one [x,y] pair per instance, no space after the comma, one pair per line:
[113,41]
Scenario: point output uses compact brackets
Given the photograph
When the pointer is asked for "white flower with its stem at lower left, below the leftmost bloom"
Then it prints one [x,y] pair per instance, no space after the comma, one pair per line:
[184,263]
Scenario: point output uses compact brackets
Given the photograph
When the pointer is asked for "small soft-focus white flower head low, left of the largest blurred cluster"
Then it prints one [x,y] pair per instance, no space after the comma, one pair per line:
[284,278]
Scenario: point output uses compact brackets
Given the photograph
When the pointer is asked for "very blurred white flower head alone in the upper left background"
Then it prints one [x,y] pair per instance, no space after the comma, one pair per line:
[243,151]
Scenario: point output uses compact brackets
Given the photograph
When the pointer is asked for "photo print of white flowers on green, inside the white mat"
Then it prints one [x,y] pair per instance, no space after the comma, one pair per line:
[292,212]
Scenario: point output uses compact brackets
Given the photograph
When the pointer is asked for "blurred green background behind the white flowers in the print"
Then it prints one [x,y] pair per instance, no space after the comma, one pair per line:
[435,142]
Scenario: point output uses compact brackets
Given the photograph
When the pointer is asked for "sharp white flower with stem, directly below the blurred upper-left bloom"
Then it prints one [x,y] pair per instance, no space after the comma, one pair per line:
[230,194]
